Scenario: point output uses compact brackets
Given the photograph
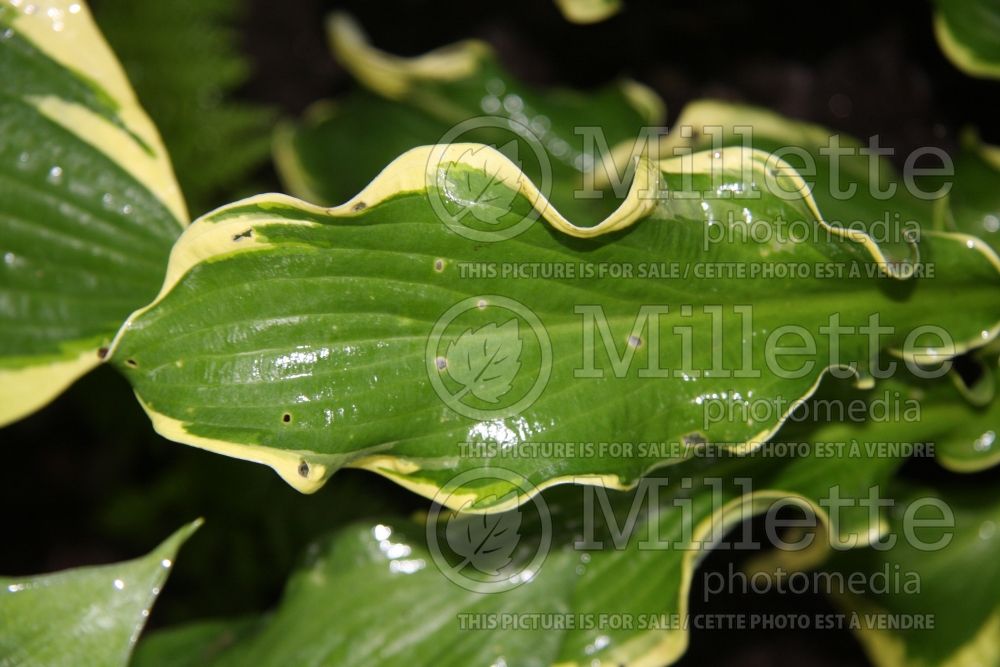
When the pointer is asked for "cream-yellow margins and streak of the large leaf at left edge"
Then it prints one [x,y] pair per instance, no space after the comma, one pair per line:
[65,31]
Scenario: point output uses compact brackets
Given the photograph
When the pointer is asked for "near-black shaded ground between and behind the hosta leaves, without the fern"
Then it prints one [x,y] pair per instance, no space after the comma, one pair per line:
[86,481]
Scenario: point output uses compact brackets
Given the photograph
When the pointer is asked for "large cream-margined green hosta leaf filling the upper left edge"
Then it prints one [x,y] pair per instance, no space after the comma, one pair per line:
[88,204]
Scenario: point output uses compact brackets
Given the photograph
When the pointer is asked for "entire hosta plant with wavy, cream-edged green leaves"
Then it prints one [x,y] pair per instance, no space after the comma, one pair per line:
[595,349]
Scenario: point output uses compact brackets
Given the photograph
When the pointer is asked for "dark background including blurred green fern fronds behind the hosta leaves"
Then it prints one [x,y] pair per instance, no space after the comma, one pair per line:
[90,483]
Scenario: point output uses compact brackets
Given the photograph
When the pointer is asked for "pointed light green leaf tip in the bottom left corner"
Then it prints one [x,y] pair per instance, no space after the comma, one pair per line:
[89,616]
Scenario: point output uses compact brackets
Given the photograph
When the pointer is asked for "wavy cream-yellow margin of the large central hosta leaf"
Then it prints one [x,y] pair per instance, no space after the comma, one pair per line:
[224,232]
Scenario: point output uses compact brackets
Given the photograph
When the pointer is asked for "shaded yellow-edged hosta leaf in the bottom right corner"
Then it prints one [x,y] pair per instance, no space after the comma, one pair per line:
[959,586]
